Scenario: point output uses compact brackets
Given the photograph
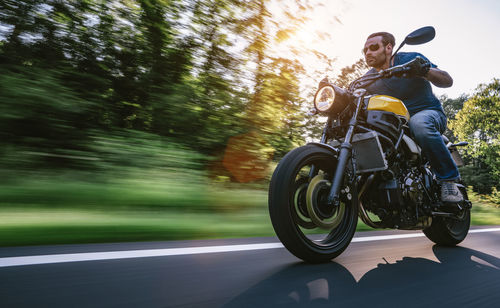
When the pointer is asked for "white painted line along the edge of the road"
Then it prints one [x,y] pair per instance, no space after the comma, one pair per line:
[144,253]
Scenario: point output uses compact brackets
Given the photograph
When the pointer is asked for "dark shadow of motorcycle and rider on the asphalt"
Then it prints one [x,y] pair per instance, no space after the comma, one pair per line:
[463,278]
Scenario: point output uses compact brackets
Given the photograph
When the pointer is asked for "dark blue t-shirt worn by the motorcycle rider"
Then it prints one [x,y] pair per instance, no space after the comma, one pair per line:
[416,93]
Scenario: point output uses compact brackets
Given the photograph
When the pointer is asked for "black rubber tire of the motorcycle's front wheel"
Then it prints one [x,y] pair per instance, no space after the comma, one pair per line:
[306,243]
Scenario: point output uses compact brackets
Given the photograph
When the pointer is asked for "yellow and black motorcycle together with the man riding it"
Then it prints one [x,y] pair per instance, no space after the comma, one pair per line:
[366,166]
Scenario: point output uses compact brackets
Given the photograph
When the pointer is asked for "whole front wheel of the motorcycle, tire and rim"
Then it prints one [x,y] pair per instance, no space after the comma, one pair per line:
[307,226]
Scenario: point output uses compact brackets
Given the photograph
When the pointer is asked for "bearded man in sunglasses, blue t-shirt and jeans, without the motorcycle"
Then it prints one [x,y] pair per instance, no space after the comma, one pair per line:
[428,120]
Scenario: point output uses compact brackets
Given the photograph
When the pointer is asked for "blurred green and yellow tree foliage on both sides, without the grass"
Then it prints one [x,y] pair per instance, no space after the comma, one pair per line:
[199,73]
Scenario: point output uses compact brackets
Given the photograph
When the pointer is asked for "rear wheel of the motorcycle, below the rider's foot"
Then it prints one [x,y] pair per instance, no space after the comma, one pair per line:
[448,231]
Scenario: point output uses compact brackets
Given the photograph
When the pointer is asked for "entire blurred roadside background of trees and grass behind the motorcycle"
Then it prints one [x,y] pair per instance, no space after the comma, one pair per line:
[156,120]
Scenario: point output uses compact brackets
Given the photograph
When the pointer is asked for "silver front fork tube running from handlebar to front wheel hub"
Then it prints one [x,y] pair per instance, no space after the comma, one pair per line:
[344,156]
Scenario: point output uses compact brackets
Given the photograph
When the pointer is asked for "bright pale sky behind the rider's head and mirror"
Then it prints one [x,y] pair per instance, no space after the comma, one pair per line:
[467,42]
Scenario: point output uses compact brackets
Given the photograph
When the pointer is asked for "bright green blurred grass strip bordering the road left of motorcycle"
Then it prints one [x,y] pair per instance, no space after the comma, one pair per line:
[48,226]
